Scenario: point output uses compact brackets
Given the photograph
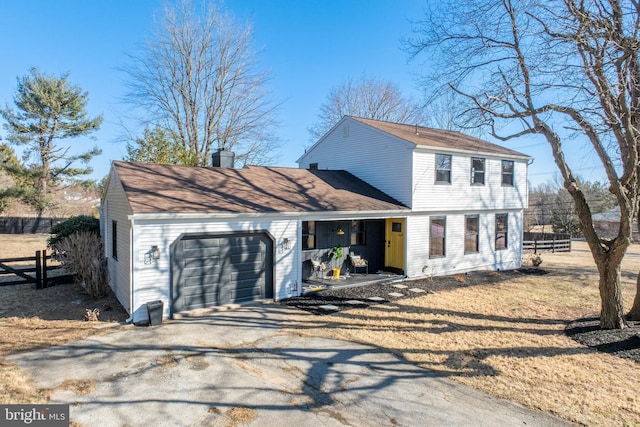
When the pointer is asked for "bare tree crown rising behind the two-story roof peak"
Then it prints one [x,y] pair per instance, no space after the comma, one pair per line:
[366,97]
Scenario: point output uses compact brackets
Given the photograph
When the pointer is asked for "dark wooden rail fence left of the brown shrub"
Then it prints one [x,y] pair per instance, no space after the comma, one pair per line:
[35,271]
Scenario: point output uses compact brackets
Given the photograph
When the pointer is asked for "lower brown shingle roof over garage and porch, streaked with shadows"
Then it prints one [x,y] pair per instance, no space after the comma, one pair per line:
[152,188]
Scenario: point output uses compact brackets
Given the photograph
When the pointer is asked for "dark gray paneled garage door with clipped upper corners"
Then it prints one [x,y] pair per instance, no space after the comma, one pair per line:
[213,270]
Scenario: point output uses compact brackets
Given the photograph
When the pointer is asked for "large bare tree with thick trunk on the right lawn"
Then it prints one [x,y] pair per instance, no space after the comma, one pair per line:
[557,69]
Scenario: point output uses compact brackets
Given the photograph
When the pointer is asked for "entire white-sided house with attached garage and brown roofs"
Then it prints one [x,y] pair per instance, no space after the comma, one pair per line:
[410,200]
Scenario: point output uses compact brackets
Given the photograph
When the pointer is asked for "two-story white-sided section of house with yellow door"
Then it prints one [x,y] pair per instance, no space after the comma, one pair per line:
[466,196]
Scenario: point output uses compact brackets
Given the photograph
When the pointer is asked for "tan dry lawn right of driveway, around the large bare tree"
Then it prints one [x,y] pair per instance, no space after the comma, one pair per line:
[508,340]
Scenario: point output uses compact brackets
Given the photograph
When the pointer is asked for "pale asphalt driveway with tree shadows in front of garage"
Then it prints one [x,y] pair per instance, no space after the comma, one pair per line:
[238,367]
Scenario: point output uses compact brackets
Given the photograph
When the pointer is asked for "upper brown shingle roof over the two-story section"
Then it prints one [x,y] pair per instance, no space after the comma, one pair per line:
[439,138]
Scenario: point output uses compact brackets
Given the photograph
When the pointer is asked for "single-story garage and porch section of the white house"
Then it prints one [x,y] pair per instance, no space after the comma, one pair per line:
[198,237]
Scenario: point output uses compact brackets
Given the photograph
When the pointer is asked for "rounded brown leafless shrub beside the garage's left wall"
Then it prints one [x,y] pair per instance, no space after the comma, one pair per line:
[81,254]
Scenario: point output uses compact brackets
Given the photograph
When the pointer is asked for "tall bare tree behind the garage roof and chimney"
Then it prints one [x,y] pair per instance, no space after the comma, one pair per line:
[198,77]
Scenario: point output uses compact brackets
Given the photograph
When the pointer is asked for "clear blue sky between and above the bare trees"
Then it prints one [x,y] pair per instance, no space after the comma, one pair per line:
[307,46]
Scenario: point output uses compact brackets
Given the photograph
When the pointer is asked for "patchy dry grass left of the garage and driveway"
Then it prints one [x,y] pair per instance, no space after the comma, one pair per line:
[31,319]
